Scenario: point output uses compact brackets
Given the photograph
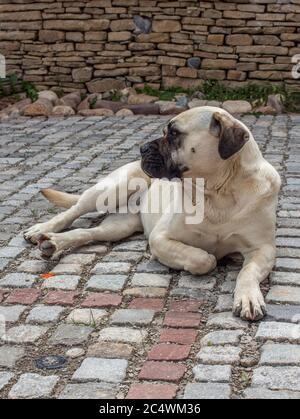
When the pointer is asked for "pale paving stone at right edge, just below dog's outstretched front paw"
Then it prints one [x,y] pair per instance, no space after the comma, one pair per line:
[278,332]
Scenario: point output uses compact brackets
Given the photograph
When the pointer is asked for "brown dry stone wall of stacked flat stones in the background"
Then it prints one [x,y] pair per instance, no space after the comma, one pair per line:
[105,44]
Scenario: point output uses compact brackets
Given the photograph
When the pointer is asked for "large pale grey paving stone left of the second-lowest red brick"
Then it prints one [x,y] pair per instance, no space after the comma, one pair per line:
[101,369]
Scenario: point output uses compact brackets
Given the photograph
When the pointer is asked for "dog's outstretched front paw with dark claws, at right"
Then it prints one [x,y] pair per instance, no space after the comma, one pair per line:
[249,302]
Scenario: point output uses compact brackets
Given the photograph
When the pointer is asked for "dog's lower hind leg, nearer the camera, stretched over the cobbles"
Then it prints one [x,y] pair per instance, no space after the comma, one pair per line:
[115,227]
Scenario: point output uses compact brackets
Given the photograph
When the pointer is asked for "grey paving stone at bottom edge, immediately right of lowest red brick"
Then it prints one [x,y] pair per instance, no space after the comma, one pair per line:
[202,391]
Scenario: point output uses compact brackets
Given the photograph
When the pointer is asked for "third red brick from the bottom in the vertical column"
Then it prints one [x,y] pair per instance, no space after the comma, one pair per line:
[169,352]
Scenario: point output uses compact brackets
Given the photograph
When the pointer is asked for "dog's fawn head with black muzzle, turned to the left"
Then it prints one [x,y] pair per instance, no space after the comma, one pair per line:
[195,143]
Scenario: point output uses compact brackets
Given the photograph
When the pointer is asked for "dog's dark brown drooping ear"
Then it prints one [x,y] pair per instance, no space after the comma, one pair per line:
[232,137]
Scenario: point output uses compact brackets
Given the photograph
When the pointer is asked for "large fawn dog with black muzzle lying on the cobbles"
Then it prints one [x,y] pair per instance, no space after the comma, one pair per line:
[240,199]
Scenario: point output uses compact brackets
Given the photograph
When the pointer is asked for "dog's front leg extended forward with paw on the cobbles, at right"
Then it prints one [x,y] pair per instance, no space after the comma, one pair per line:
[248,299]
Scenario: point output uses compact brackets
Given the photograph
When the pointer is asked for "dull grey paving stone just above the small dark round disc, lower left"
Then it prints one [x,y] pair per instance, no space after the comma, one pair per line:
[70,335]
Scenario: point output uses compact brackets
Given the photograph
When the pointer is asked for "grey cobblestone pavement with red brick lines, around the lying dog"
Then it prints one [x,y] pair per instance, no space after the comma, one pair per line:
[129,327]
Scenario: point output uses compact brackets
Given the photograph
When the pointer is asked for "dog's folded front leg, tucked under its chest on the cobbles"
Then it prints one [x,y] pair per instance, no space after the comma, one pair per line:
[178,255]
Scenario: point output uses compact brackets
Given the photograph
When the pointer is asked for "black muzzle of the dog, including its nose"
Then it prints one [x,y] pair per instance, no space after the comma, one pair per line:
[157,161]
